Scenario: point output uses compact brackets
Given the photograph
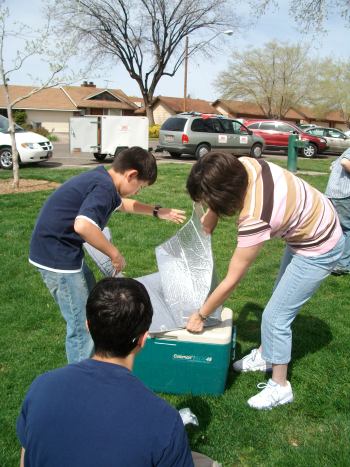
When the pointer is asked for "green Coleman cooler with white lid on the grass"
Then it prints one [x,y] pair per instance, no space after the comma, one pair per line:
[179,362]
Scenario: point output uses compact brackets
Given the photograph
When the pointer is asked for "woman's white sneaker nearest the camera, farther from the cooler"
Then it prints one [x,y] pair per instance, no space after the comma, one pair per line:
[272,394]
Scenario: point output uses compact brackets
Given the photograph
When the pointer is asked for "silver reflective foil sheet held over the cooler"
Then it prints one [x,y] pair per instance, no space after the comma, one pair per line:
[186,275]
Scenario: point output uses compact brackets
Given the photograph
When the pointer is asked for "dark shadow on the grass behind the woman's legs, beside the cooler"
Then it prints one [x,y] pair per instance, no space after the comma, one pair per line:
[310,334]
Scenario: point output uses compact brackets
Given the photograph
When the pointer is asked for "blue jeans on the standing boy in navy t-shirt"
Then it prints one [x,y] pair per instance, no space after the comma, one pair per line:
[70,291]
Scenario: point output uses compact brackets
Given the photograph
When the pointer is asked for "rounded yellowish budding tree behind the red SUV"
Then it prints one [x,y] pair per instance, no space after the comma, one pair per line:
[275,77]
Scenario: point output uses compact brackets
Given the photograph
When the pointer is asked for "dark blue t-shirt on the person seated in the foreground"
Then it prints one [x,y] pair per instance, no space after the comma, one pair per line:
[97,414]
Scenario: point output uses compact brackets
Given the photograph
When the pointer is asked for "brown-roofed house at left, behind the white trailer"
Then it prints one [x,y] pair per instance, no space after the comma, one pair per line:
[52,107]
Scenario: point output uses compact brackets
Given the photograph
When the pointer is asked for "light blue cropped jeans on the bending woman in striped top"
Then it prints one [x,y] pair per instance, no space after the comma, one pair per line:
[298,279]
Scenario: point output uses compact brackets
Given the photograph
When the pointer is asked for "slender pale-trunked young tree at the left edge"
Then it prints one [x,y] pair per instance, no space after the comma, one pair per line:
[34,43]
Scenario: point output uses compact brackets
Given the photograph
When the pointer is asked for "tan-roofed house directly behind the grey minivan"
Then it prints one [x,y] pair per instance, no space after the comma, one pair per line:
[164,107]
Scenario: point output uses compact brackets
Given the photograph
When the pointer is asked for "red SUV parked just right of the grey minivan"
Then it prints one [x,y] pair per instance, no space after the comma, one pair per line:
[276,134]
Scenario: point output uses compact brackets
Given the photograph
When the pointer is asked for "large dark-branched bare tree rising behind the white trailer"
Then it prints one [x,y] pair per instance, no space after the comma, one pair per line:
[146,36]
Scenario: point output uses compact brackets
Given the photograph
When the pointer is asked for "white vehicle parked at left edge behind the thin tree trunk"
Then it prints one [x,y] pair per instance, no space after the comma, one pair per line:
[31,147]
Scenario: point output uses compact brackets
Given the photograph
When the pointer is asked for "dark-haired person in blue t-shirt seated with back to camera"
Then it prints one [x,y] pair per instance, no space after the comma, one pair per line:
[96,412]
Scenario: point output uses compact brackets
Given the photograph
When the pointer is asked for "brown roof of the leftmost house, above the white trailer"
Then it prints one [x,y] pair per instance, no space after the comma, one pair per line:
[67,98]
